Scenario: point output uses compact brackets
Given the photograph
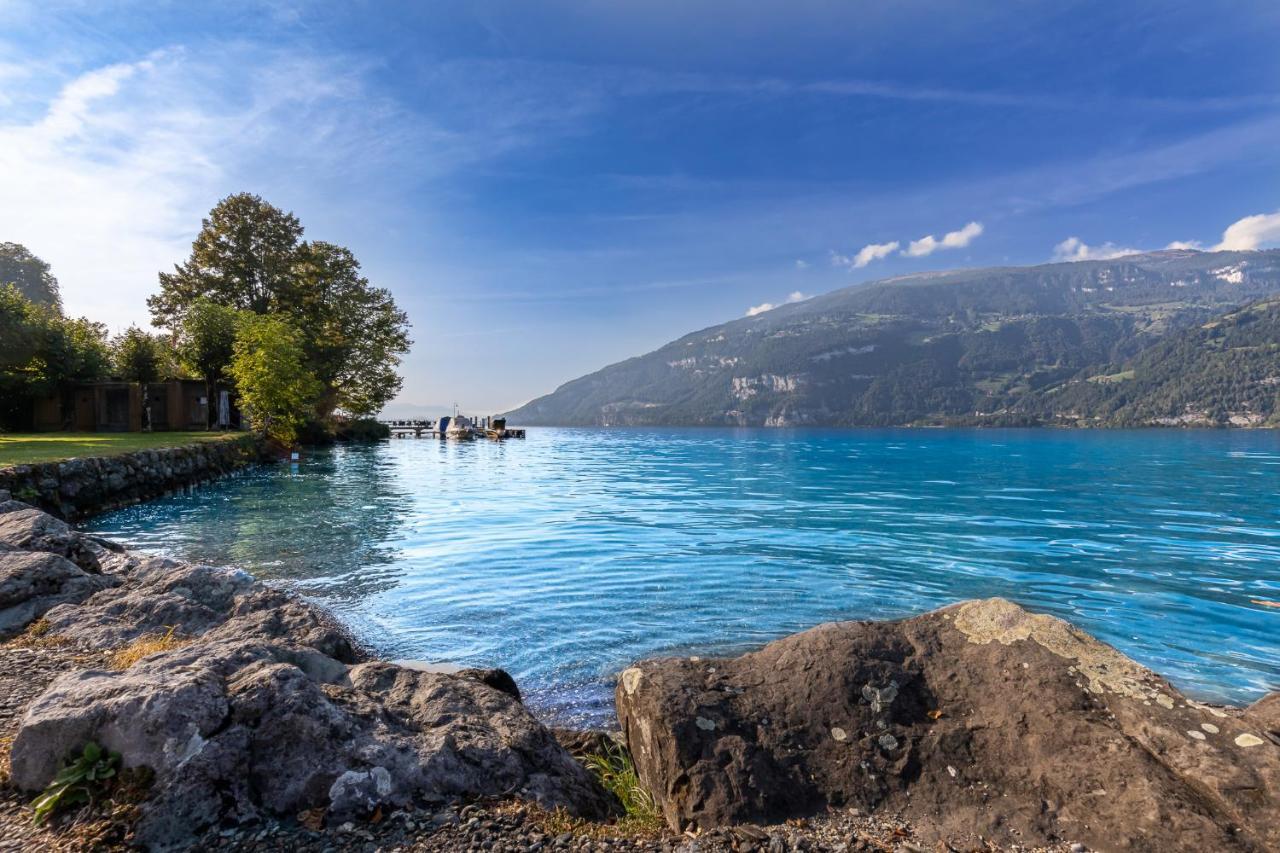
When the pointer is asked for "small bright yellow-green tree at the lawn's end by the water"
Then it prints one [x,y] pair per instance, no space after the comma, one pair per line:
[271,373]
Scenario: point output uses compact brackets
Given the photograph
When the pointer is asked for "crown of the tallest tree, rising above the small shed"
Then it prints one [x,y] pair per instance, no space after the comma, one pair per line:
[244,258]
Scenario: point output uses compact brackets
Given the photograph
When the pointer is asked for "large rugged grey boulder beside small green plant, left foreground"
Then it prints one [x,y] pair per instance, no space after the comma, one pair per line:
[236,729]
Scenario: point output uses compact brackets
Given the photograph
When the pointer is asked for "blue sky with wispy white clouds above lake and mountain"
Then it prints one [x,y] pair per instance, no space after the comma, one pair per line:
[550,188]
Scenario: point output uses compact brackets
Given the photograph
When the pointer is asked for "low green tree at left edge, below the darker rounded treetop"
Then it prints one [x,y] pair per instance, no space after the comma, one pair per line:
[42,352]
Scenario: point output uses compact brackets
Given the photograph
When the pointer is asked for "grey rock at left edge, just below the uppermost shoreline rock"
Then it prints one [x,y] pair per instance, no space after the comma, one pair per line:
[33,583]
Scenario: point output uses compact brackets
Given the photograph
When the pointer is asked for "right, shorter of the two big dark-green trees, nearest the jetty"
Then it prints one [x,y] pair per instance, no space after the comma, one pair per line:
[355,335]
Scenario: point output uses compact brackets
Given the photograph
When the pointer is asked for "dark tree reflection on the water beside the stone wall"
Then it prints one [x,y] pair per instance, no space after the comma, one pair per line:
[328,527]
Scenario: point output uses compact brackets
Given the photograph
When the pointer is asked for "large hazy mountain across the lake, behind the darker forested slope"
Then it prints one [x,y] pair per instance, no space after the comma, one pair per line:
[963,346]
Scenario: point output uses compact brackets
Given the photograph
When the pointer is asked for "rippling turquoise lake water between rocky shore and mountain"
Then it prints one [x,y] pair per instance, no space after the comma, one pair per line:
[566,556]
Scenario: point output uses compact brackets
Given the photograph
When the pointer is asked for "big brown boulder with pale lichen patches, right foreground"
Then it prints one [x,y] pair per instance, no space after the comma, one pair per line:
[980,717]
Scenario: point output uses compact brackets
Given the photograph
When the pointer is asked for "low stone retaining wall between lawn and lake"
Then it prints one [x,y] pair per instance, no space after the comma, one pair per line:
[80,487]
